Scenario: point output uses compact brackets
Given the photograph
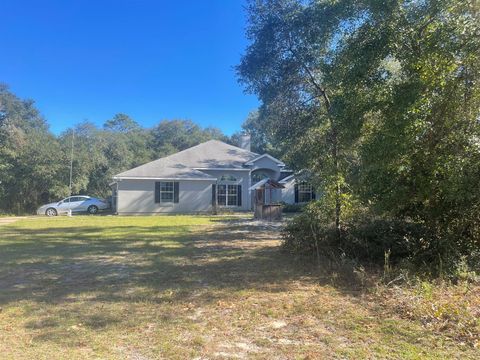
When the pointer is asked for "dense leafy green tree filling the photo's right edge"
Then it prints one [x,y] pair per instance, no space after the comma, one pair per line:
[426,129]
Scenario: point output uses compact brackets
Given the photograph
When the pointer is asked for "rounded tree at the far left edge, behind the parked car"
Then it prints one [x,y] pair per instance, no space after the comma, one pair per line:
[30,156]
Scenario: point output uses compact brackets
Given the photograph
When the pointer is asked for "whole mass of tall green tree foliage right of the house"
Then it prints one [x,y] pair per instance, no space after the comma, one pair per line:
[380,101]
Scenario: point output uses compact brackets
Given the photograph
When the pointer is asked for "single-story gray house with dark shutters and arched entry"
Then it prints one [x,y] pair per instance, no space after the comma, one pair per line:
[202,178]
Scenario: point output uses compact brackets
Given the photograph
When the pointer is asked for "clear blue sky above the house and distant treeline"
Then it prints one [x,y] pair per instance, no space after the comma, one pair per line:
[153,60]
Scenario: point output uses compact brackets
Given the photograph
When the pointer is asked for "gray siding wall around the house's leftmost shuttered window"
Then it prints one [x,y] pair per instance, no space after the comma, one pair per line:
[138,197]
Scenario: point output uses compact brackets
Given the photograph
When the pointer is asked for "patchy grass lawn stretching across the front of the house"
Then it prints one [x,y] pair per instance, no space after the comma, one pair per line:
[183,287]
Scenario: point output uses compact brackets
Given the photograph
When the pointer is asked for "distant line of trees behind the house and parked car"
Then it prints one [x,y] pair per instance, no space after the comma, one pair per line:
[35,163]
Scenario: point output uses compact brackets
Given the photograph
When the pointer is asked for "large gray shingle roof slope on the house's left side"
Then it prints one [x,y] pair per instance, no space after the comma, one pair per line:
[210,154]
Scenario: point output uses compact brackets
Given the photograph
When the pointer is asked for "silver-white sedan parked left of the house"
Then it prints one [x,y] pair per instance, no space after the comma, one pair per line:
[78,203]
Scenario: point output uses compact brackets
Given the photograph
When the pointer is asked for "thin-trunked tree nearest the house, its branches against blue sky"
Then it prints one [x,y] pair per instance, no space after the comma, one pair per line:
[289,66]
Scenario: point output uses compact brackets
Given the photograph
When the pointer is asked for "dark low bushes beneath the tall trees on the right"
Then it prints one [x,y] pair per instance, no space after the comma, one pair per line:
[372,240]
